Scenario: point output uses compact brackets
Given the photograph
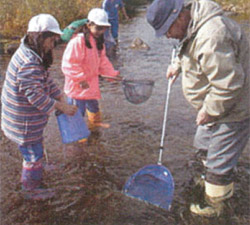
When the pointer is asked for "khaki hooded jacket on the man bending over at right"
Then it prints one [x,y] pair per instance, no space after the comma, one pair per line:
[214,60]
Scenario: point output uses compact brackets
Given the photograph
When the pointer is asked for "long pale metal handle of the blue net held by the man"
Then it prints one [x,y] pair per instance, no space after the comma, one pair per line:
[166,109]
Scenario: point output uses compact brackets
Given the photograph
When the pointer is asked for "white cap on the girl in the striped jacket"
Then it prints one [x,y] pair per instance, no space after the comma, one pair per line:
[44,22]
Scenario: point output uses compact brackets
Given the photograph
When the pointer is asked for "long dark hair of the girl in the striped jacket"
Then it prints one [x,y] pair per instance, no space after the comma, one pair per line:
[35,41]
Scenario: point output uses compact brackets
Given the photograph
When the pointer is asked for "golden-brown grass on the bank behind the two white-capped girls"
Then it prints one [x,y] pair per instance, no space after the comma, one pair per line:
[15,14]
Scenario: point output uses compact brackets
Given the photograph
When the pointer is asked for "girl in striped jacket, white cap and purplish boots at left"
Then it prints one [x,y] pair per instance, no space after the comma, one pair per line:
[29,95]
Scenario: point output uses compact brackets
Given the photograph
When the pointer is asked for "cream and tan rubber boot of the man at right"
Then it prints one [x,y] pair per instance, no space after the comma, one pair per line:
[215,195]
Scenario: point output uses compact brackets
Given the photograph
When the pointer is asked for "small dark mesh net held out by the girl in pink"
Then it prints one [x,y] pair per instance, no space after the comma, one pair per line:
[137,91]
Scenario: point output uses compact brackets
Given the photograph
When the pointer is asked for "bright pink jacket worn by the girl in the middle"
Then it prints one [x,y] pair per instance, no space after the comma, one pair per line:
[80,63]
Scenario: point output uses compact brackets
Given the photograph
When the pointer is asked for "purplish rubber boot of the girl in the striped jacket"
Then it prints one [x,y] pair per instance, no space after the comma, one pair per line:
[31,180]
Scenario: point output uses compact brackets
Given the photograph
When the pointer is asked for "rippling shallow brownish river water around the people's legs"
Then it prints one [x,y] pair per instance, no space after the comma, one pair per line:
[88,179]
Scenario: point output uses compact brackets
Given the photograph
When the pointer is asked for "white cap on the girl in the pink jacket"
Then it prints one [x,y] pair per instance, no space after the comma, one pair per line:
[99,17]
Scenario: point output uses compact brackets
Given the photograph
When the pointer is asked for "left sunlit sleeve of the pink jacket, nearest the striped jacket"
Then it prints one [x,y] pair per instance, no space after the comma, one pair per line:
[72,61]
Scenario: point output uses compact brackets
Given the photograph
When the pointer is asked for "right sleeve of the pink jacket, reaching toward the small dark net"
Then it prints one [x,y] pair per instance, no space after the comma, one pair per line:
[106,68]
